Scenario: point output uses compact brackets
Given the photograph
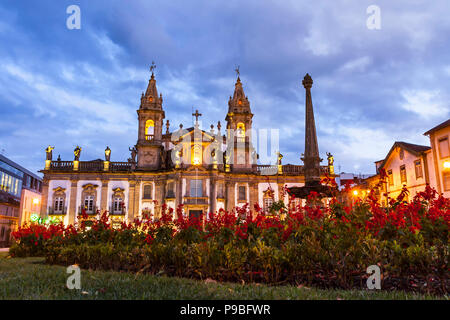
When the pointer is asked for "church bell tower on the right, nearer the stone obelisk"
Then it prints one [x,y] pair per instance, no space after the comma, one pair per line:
[239,127]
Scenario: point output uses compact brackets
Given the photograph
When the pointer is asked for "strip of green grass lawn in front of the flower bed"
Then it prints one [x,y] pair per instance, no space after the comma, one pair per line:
[30,278]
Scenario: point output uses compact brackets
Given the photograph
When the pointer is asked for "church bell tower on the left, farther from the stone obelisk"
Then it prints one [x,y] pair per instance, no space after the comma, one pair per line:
[150,115]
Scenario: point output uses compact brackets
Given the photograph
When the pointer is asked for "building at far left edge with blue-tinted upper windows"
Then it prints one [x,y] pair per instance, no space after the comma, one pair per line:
[20,196]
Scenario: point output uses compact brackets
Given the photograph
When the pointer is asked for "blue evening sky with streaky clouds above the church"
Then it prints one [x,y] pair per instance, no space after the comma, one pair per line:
[82,87]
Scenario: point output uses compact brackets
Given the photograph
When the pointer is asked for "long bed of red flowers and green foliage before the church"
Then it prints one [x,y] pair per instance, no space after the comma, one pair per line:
[325,246]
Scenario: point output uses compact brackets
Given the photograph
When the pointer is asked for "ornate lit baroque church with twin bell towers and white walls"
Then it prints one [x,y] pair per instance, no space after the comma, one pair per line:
[204,171]
